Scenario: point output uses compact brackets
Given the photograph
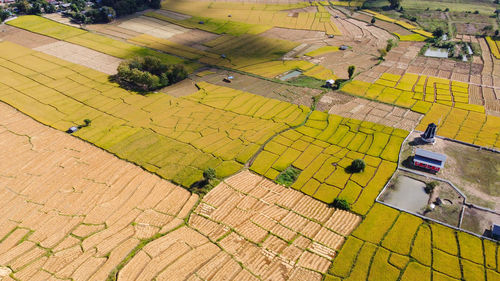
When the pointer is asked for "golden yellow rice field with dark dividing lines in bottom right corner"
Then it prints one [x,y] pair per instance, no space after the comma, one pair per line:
[390,245]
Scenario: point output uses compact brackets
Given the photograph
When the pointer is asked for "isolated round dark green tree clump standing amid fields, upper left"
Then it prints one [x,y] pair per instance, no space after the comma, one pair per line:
[148,73]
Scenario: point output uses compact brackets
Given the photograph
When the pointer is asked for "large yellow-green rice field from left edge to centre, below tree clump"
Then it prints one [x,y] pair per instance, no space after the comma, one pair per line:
[176,138]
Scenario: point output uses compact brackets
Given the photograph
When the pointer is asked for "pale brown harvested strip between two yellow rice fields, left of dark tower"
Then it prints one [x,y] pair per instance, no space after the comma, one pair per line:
[372,111]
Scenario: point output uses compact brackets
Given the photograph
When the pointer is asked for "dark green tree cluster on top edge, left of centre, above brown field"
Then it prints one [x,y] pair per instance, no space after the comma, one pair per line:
[104,11]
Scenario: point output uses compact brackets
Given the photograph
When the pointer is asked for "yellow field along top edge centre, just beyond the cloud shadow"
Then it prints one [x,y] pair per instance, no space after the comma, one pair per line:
[271,15]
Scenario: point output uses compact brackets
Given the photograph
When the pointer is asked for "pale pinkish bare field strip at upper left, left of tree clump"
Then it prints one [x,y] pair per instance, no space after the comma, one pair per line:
[81,55]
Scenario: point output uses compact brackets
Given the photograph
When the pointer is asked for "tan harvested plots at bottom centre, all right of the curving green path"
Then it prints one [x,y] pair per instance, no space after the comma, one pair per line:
[263,231]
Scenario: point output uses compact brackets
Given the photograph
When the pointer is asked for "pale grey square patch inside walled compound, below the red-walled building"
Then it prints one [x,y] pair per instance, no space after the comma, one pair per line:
[408,194]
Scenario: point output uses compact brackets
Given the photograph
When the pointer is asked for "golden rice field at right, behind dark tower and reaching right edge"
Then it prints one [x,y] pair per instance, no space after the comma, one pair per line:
[445,102]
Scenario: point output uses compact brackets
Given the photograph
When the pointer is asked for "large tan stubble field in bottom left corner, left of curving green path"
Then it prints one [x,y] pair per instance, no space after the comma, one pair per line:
[71,209]
